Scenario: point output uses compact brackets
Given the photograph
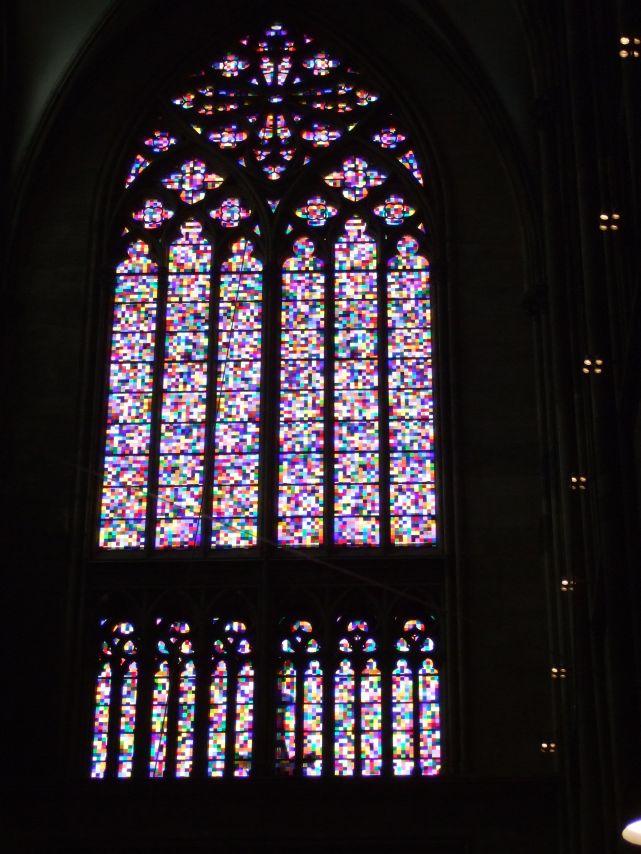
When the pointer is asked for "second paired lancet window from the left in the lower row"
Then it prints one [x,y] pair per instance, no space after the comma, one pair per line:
[173,702]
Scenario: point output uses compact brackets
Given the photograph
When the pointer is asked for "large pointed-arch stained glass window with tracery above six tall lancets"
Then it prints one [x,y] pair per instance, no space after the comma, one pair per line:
[271,317]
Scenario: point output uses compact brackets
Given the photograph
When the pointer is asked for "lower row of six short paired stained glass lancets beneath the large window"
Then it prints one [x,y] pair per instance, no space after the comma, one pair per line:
[360,711]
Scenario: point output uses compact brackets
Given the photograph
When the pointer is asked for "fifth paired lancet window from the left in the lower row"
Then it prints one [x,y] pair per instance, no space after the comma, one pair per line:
[358,744]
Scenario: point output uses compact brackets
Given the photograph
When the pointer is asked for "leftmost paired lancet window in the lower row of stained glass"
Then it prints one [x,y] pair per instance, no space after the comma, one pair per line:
[115,702]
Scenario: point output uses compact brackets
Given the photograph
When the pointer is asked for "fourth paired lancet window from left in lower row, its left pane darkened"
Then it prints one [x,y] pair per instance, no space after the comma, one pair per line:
[299,711]
